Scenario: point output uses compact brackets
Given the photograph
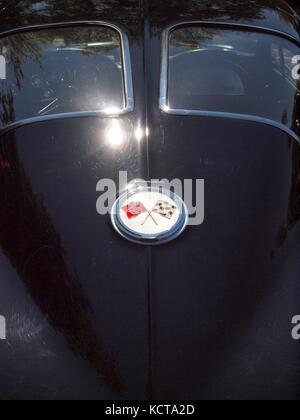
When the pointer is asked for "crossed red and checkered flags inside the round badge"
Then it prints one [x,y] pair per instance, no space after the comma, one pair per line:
[163,208]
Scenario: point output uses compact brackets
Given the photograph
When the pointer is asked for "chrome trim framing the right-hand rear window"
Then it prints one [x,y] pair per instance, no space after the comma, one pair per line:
[163,100]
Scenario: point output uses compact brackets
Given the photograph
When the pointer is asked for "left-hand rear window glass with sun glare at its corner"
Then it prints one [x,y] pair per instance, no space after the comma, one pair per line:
[61,70]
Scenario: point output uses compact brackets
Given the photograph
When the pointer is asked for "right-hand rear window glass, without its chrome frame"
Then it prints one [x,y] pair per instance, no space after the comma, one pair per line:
[217,70]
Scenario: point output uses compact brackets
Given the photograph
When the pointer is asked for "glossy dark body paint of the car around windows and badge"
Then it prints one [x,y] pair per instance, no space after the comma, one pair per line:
[91,315]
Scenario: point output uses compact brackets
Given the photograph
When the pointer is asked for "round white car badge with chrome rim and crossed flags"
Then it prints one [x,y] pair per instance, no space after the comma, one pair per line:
[149,215]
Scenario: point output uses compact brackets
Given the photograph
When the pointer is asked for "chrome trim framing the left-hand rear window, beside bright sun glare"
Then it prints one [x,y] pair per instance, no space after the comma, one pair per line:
[127,75]
